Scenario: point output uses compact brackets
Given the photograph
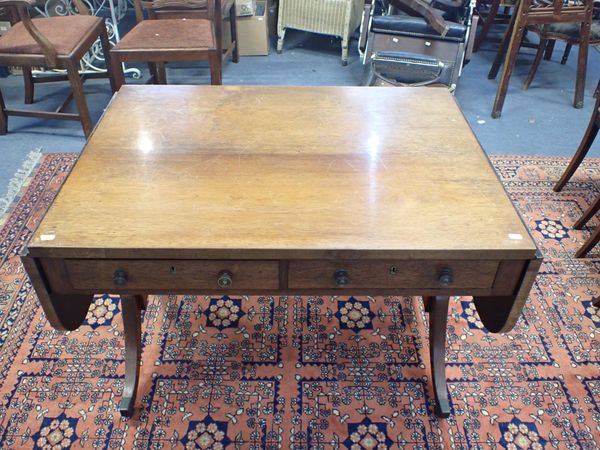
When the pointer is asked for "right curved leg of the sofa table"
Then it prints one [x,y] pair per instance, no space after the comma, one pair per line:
[437,307]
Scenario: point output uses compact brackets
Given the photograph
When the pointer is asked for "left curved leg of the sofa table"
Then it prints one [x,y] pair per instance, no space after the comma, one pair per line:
[132,325]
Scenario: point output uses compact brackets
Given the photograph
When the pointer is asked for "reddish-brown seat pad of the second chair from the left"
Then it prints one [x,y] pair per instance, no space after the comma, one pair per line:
[168,34]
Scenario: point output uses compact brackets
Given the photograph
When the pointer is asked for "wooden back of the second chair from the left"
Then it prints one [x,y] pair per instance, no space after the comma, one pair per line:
[170,9]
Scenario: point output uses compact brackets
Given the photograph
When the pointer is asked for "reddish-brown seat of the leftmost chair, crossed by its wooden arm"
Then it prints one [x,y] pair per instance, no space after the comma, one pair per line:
[66,33]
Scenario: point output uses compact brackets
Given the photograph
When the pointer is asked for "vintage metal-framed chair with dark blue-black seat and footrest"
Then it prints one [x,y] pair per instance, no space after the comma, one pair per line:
[412,42]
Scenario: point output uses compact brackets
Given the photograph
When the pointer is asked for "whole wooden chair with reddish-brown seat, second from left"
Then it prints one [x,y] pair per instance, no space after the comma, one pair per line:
[177,30]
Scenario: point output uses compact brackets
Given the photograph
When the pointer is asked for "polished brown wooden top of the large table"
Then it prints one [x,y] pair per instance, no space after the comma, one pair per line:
[282,172]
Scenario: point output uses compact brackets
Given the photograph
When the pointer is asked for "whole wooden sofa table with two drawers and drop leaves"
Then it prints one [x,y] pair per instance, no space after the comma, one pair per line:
[282,191]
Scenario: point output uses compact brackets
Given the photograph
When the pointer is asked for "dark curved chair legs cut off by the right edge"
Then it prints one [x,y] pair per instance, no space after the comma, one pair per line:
[588,138]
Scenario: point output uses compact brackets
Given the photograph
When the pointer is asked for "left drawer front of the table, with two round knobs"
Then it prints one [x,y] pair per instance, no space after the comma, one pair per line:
[90,274]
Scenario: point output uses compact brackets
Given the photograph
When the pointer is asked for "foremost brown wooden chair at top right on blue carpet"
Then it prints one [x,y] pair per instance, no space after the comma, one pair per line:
[538,13]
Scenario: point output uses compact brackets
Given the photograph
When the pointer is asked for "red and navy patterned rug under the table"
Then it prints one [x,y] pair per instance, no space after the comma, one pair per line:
[296,372]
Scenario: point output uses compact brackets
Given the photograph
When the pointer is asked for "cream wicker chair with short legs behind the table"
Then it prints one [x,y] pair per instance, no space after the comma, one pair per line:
[334,17]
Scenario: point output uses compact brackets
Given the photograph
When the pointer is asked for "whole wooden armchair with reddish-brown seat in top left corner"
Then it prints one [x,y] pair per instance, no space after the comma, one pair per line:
[56,43]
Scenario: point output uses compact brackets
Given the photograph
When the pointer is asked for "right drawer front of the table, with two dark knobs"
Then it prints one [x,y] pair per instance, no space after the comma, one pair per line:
[391,274]
